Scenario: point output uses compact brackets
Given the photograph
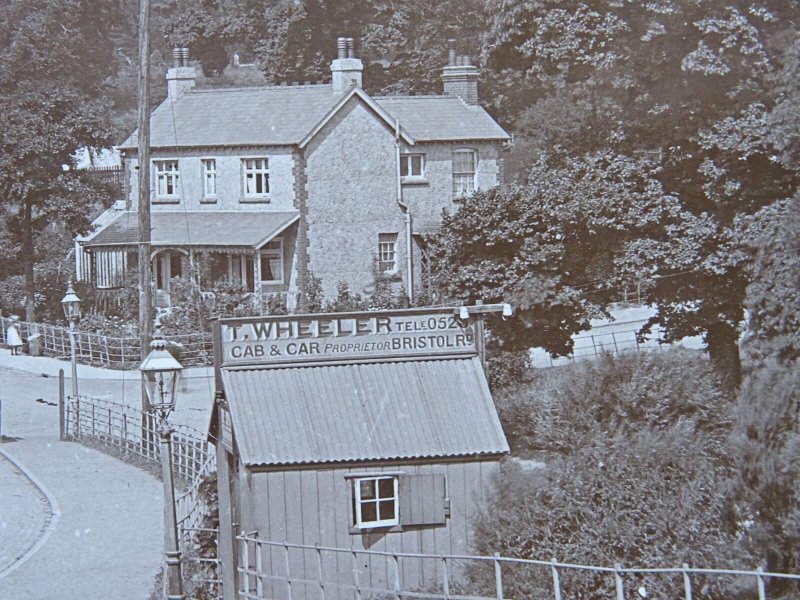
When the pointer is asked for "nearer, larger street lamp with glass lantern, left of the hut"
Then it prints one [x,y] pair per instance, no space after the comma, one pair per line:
[160,373]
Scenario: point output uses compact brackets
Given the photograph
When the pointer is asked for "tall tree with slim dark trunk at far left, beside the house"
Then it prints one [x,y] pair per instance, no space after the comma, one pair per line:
[55,58]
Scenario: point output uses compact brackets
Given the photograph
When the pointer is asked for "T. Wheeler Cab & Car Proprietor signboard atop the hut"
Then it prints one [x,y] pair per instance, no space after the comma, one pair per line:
[343,336]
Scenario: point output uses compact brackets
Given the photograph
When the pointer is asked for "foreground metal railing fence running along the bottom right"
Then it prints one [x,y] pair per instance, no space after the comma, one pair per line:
[264,571]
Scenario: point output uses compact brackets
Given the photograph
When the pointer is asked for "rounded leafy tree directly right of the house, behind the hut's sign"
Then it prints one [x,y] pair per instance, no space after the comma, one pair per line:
[549,246]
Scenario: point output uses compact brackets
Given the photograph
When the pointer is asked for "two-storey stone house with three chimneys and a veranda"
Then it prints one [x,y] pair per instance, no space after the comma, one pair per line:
[266,186]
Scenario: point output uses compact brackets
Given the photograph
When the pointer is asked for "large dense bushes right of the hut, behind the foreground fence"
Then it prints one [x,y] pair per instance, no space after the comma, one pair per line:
[635,455]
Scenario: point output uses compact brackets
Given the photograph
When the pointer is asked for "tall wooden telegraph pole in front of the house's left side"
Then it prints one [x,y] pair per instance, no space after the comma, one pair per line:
[143,158]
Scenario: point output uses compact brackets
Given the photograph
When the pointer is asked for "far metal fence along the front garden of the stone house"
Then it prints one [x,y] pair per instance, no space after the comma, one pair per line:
[195,349]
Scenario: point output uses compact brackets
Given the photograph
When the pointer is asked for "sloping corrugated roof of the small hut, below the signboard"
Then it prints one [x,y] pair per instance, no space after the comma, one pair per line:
[363,412]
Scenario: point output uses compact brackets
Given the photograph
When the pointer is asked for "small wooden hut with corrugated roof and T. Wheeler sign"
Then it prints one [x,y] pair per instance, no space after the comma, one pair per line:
[352,431]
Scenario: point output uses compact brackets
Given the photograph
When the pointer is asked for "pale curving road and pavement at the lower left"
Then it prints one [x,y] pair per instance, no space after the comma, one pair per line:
[74,522]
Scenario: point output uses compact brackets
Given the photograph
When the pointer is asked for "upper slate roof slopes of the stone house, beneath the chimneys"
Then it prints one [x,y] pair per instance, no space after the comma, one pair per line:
[283,115]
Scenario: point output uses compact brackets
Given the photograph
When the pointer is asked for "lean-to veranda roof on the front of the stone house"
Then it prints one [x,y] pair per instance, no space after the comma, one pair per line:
[198,228]
